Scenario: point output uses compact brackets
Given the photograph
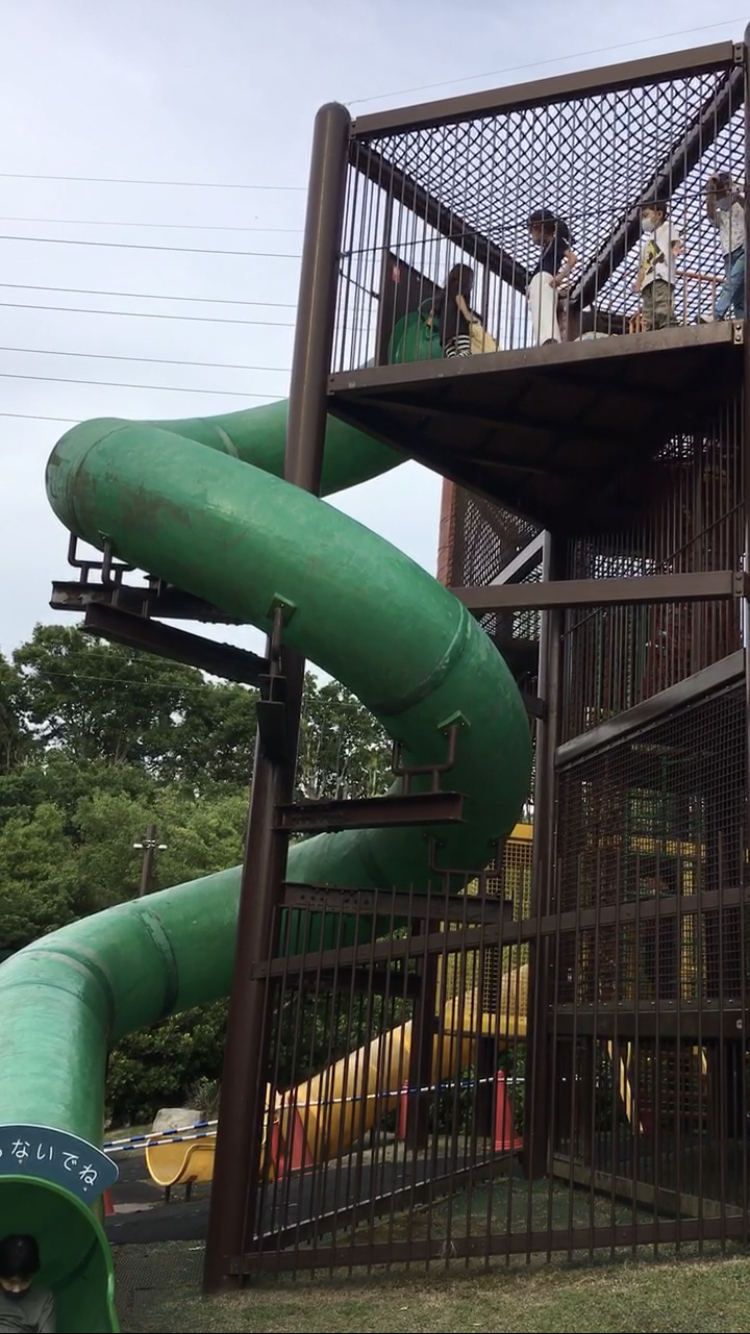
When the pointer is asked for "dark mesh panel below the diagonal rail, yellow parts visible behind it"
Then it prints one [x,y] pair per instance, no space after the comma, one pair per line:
[651,830]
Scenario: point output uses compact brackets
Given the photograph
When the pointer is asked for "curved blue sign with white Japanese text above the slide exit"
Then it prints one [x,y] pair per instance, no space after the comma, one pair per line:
[58,1157]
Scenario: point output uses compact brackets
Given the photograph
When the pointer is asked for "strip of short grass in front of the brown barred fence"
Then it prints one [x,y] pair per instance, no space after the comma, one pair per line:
[620,1299]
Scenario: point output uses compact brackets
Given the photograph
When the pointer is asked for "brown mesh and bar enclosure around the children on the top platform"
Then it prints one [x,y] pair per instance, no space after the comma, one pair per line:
[465,191]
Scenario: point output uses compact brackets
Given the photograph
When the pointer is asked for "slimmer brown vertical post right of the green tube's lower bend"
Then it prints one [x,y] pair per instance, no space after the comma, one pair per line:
[538,1104]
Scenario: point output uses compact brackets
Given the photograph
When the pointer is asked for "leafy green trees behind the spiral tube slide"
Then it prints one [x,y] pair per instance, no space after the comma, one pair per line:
[97,742]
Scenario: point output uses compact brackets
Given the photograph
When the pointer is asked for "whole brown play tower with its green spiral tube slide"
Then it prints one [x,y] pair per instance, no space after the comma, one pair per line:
[583,653]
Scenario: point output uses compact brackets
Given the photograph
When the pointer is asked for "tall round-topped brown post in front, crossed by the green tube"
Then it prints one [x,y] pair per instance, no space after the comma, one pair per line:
[237,1172]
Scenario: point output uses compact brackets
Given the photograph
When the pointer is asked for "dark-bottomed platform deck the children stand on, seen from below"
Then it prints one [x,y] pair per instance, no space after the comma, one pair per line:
[560,434]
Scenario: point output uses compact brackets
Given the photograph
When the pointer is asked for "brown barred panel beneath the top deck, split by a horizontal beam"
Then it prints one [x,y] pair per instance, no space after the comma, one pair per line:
[619,657]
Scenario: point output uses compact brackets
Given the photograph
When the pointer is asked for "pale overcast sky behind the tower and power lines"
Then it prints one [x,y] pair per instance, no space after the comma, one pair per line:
[216,91]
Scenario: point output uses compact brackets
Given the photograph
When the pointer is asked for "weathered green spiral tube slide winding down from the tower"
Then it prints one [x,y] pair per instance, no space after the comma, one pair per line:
[202,504]
